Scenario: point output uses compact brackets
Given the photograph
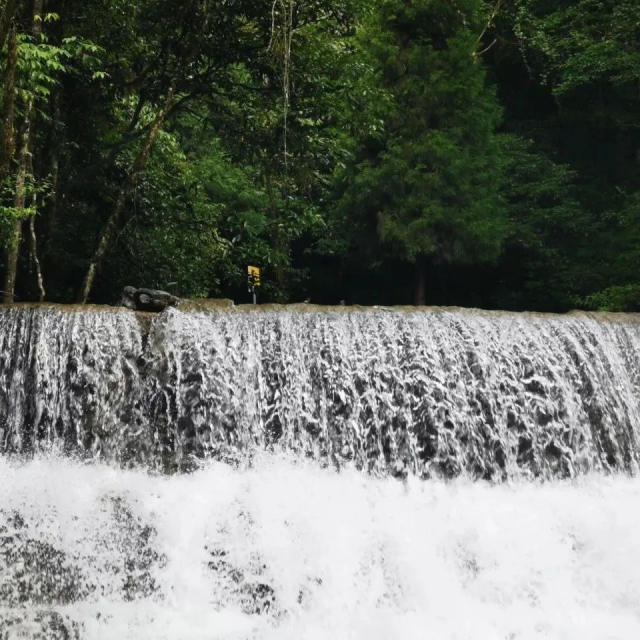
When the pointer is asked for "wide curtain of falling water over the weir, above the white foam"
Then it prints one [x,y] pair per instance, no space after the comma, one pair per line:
[407,392]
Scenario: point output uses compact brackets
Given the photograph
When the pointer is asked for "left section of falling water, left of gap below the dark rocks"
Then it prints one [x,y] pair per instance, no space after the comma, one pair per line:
[68,378]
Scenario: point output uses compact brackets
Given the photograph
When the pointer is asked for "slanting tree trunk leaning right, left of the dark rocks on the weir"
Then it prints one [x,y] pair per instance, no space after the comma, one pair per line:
[113,221]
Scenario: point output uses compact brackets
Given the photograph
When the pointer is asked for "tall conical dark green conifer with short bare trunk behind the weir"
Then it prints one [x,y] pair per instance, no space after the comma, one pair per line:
[432,181]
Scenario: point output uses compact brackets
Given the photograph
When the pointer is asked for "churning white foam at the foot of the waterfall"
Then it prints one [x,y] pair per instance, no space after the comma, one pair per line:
[347,556]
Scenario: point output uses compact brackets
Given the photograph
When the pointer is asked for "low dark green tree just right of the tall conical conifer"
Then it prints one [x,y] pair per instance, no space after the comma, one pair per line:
[546,259]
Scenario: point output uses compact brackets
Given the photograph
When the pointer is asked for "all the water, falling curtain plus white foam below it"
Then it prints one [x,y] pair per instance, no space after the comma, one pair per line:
[260,540]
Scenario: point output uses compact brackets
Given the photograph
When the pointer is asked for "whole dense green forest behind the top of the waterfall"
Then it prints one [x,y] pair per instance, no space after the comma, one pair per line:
[479,153]
